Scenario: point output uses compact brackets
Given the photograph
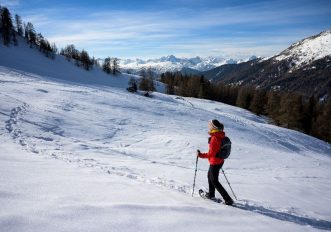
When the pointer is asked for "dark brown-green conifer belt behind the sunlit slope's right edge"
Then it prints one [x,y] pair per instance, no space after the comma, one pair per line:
[290,110]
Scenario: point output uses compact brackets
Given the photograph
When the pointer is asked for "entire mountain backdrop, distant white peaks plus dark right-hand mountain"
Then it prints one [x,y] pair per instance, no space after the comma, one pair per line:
[304,67]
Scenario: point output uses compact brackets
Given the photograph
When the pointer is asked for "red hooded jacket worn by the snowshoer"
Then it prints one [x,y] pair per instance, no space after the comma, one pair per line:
[215,144]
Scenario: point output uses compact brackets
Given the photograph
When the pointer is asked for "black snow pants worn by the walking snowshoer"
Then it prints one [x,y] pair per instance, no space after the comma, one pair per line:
[213,182]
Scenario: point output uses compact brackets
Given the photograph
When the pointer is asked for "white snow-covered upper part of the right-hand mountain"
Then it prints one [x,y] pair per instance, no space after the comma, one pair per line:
[307,50]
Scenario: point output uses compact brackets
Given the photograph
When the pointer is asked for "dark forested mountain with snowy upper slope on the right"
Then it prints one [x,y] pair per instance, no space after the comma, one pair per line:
[304,67]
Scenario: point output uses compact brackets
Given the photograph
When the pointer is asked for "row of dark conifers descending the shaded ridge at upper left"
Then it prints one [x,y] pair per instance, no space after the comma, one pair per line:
[11,29]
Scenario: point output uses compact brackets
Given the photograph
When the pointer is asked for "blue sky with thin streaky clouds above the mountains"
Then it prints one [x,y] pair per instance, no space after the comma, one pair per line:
[185,28]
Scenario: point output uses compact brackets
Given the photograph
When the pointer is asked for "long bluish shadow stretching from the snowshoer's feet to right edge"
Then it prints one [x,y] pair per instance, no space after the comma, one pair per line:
[316,223]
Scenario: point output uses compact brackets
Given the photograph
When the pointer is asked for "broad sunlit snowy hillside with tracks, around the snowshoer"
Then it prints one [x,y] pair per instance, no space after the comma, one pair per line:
[91,158]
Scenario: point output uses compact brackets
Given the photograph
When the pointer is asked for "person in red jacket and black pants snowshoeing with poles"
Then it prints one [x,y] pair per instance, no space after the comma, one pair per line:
[215,142]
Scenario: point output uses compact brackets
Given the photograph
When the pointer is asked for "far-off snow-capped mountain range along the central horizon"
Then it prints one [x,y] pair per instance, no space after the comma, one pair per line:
[173,63]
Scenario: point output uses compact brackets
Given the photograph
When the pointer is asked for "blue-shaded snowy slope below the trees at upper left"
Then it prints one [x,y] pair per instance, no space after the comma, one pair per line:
[31,60]
